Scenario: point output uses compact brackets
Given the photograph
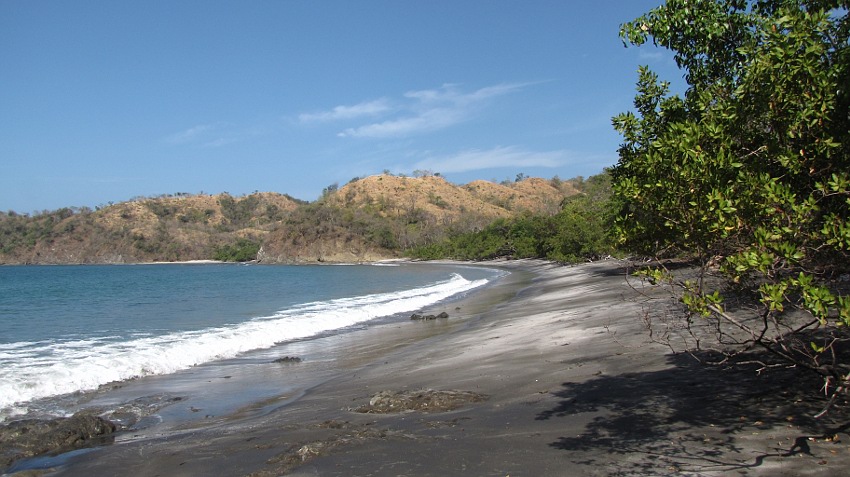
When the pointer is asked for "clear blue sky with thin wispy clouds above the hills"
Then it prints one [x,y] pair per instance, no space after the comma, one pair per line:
[102,101]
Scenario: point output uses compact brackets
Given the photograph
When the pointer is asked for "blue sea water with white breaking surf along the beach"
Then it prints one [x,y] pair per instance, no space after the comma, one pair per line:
[68,330]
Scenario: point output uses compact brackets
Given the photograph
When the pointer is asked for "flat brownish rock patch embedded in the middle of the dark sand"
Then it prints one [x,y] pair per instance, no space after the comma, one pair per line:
[429,400]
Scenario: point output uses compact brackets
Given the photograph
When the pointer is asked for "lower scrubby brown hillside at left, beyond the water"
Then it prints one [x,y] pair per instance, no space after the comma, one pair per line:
[168,228]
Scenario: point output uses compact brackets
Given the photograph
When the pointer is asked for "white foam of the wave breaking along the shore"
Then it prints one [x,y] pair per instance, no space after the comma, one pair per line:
[35,370]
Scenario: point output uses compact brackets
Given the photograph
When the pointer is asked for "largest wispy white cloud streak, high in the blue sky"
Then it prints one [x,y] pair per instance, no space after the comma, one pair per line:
[415,112]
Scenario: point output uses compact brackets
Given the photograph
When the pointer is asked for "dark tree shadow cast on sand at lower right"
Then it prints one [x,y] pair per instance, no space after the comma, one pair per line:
[700,420]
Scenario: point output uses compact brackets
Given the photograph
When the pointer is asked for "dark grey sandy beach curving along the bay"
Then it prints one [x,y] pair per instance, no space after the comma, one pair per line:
[549,372]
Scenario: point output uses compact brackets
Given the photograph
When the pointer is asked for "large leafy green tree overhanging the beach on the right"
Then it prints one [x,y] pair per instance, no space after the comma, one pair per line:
[749,170]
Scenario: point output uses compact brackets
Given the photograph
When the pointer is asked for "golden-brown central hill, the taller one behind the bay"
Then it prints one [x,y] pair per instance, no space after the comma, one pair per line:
[382,216]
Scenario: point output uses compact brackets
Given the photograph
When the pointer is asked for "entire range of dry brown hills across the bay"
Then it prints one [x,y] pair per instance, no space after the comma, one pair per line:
[367,219]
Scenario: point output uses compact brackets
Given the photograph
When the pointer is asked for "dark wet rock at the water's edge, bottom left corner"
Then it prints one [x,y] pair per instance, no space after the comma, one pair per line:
[32,437]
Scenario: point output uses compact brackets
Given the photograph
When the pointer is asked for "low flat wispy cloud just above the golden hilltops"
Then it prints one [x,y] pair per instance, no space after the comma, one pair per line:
[498,157]
